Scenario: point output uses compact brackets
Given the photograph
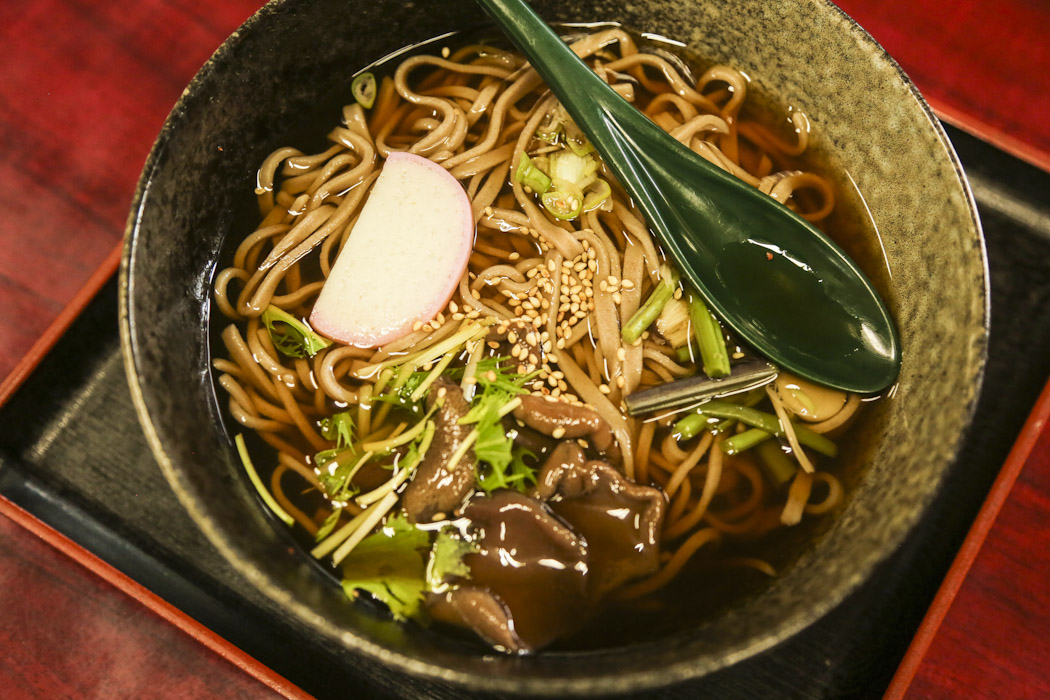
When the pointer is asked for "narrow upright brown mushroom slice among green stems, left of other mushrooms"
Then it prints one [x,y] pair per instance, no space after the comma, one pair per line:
[435,490]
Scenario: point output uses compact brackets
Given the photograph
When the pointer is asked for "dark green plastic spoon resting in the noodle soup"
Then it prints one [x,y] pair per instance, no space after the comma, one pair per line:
[779,282]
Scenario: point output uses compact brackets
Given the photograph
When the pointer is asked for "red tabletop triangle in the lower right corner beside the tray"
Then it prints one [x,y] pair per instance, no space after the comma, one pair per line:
[986,634]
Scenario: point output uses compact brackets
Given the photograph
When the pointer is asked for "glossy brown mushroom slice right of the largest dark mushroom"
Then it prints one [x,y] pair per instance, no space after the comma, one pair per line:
[621,521]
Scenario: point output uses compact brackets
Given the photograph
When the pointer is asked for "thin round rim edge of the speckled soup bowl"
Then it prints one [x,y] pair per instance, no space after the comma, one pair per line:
[631,682]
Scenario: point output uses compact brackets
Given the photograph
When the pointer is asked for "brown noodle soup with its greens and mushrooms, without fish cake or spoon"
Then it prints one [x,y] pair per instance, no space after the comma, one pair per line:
[539,319]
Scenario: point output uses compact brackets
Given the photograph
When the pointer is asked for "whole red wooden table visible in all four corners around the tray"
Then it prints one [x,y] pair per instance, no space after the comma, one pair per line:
[86,88]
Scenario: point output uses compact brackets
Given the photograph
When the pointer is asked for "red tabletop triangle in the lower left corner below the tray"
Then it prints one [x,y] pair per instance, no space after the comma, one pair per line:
[83,630]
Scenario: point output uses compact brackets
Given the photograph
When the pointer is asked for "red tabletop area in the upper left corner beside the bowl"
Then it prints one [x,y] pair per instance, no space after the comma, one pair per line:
[86,89]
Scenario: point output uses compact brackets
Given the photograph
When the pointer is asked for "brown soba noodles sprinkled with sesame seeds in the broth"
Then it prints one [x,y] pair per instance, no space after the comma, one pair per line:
[557,293]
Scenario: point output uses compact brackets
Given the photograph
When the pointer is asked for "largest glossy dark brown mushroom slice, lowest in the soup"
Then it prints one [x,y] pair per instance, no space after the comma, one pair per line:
[532,564]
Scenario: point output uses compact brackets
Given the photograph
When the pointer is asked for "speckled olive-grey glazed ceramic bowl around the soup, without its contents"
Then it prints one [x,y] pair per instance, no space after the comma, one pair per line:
[808,54]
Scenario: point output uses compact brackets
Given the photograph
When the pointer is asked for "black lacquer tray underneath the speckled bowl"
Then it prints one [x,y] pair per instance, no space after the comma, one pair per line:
[73,454]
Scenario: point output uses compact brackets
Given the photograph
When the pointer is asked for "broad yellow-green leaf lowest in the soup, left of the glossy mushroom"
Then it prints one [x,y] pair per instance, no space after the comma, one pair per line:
[390,566]
